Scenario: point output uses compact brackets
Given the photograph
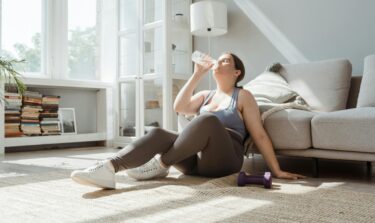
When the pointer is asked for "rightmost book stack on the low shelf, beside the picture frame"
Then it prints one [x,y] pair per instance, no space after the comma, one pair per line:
[49,116]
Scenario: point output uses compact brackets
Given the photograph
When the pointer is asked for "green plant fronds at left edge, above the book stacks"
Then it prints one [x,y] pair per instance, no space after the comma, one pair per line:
[10,77]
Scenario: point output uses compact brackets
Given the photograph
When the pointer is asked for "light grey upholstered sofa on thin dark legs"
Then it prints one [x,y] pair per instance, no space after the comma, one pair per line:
[338,127]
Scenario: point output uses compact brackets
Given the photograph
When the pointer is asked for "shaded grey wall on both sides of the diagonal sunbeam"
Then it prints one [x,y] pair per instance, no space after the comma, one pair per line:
[319,29]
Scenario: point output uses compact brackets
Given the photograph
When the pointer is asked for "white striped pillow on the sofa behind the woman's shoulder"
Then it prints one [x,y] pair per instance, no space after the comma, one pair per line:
[270,87]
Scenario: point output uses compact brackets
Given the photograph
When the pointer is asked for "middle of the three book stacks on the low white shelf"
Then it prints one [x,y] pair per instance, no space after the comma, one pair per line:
[32,106]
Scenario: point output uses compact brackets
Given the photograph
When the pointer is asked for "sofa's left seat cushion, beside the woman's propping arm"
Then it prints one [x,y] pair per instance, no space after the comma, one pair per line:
[290,129]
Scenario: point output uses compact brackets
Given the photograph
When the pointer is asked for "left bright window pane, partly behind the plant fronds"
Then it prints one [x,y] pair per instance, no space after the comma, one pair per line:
[22,33]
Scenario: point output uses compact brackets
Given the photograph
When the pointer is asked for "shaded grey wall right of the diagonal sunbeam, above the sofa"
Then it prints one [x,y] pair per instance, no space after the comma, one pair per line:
[324,29]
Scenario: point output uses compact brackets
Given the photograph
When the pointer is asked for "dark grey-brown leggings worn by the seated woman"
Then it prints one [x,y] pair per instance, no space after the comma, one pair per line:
[205,147]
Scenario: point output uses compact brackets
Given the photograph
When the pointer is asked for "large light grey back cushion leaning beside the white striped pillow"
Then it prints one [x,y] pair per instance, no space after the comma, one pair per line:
[324,85]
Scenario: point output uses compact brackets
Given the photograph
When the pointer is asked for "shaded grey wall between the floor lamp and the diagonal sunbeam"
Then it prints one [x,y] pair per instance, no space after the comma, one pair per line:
[244,40]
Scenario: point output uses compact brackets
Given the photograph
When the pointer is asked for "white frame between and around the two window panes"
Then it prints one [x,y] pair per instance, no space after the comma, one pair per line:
[54,32]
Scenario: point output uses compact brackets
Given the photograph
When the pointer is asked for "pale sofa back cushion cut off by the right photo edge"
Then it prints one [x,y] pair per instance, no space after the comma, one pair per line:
[366,97]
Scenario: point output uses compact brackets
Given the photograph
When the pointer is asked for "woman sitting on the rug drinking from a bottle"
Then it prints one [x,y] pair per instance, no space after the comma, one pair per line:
[210,145]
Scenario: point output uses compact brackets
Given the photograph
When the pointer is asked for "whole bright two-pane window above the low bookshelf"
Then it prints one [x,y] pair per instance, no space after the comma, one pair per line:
[57,39]
